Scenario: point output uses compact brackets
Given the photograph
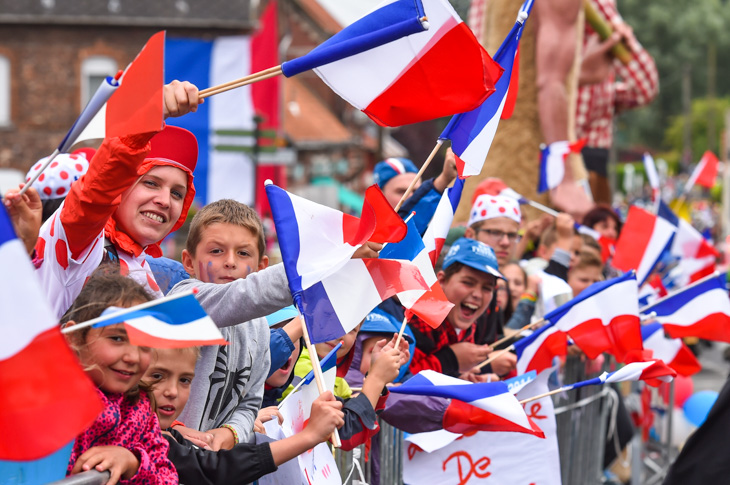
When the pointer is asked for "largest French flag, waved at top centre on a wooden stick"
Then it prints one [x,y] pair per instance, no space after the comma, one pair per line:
[414,78]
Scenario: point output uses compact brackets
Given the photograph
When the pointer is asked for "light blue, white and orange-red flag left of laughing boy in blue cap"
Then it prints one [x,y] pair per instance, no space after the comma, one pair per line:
[431,305]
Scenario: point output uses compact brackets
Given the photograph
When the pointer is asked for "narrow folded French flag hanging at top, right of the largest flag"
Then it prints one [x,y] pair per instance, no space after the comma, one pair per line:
[472,133]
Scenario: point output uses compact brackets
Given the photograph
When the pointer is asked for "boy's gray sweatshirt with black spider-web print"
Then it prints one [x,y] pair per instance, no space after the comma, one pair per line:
[229,379]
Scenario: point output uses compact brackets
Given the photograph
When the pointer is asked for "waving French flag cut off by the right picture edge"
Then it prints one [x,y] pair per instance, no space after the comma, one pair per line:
[702,310]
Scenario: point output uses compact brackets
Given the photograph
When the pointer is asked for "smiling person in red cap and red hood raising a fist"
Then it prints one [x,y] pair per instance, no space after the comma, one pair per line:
[137,190]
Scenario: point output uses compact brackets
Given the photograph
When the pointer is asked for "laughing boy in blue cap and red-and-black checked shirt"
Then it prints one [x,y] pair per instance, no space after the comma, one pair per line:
[468,279]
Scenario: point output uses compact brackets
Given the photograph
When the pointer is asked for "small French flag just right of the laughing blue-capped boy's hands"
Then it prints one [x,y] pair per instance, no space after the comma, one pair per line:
[537,351]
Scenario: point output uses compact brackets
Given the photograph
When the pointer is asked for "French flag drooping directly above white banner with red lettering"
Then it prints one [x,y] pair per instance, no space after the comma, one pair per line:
[493,397]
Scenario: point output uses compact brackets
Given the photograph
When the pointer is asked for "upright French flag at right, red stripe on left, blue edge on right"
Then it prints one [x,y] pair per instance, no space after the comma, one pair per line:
[643,239]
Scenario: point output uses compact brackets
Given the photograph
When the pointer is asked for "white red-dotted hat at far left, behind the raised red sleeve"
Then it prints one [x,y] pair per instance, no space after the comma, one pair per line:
[56,180]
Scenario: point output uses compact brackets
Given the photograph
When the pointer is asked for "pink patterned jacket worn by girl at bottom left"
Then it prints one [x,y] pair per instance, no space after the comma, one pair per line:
[134,427]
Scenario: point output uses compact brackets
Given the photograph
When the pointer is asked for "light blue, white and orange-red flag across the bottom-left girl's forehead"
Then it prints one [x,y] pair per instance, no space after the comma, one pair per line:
[174,322]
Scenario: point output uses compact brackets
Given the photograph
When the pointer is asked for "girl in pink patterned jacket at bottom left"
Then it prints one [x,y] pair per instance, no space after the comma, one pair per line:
[125,439]
